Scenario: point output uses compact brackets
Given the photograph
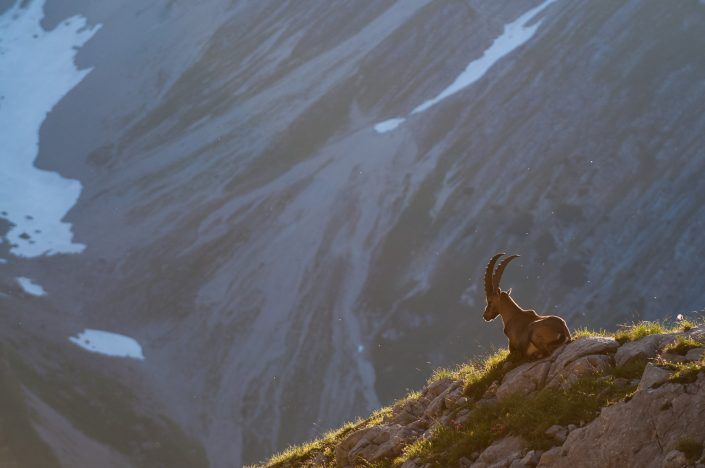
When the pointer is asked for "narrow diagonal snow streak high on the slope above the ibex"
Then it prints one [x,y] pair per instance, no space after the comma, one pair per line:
[514,35]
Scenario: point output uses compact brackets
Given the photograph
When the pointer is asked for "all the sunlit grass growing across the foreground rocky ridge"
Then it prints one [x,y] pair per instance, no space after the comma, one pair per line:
[526,416]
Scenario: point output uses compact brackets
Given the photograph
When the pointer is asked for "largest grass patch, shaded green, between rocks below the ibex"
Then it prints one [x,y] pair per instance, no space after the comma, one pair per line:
[525,416]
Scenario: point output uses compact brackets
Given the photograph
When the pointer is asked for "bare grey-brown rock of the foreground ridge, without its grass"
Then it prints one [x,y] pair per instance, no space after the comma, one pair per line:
[644,431]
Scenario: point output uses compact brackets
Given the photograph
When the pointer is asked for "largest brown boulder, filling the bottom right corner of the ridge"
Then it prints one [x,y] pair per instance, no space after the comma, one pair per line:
[632,433]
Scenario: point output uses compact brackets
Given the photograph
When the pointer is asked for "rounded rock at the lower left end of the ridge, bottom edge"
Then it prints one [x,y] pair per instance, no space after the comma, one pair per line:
[373,443]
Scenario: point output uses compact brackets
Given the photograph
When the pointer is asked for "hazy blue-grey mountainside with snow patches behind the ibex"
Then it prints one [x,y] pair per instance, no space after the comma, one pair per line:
[286,206]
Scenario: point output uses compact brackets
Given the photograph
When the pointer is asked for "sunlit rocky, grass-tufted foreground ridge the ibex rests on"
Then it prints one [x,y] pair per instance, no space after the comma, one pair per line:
[657,418]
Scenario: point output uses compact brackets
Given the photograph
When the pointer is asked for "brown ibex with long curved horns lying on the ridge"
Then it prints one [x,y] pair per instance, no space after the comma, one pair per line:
[530,335]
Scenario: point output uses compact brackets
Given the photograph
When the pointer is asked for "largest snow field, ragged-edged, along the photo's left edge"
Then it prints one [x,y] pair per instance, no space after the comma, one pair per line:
[36,71]
